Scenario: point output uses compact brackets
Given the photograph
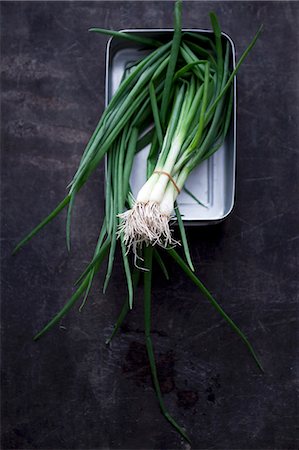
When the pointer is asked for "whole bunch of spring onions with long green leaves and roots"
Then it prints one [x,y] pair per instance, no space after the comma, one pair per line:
[178,100]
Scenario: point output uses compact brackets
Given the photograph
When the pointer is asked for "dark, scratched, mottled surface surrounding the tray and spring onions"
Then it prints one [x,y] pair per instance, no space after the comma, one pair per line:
[69,391]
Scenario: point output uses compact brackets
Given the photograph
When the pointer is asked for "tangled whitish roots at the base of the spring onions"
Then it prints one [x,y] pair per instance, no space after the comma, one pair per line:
[145,224]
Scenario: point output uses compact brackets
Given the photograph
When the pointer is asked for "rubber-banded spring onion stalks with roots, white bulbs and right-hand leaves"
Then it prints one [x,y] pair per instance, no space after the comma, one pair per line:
[197,128]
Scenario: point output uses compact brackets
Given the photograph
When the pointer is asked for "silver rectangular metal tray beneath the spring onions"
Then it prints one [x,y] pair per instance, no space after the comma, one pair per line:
[213,182]
